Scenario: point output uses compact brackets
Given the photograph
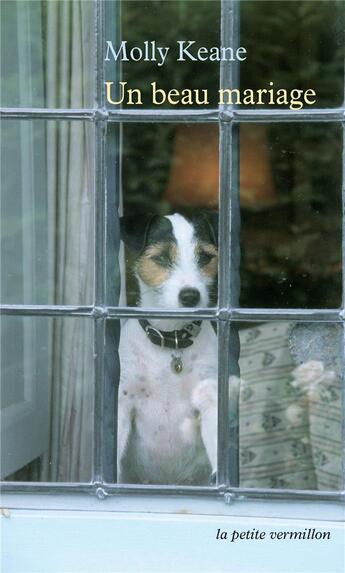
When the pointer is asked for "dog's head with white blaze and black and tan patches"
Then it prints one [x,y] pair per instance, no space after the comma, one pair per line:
[176,257]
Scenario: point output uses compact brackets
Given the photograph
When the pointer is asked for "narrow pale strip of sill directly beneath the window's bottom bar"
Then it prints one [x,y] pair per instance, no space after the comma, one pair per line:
[176,505]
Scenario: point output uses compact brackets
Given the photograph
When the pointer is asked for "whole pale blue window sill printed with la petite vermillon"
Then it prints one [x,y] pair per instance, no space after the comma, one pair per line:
[154,534]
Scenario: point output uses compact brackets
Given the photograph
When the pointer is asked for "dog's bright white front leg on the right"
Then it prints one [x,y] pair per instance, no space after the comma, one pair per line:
[204,399]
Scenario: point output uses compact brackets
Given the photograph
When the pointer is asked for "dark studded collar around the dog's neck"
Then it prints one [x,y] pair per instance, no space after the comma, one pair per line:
[172,338]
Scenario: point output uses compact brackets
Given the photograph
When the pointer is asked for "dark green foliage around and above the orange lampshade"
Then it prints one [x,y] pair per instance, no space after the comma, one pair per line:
[290,252]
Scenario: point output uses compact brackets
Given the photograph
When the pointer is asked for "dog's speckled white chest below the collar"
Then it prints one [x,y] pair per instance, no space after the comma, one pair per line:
[161,399]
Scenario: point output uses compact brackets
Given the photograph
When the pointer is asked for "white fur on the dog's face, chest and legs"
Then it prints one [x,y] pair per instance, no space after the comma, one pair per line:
[167,422]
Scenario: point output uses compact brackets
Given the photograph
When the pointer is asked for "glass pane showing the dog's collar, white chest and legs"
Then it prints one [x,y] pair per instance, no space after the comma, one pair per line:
[167,413]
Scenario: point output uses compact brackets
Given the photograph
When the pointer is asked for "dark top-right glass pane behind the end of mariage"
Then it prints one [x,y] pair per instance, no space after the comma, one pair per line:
[296,45]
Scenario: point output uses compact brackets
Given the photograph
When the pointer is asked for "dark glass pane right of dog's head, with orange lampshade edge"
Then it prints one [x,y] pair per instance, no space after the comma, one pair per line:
[290,195]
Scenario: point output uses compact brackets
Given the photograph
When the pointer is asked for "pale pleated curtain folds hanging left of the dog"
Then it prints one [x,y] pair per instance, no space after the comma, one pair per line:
[70,158]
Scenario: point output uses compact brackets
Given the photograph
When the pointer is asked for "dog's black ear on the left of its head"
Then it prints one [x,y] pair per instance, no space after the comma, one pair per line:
[134,230]
